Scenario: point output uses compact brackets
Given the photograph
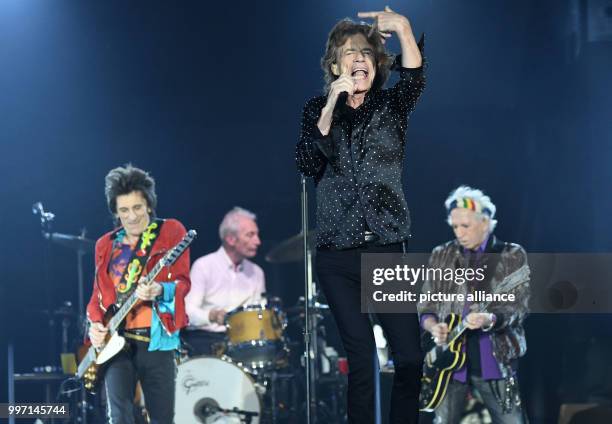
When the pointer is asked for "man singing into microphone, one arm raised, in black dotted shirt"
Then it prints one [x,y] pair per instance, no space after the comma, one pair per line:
[352,143]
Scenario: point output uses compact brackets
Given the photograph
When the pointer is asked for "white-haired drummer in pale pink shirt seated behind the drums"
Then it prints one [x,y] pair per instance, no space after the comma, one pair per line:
[222,281]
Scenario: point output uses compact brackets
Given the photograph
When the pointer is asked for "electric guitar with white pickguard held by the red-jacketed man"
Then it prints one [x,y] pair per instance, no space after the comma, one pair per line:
[114,342]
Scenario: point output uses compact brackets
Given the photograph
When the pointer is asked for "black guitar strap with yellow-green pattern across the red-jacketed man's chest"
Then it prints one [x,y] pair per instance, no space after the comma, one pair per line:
[136,264]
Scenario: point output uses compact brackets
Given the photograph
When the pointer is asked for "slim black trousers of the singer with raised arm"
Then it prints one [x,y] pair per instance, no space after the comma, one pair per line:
[339,276]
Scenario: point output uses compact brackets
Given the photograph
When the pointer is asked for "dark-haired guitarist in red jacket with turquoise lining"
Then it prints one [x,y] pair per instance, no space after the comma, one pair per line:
[122,259]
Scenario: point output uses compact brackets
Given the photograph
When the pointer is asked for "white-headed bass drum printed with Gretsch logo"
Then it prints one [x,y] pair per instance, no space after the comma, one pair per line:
[206,384]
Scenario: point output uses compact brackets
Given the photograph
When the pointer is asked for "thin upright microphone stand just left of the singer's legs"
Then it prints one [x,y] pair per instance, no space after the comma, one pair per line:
[310,333]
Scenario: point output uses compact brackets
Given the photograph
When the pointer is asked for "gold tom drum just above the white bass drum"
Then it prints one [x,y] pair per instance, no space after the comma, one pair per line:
[255,336]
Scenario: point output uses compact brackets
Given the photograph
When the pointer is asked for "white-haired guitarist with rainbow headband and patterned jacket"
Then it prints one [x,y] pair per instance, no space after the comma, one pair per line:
[494,337]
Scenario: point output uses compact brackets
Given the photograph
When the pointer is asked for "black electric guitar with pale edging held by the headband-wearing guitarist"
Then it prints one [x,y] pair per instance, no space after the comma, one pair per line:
[441,361]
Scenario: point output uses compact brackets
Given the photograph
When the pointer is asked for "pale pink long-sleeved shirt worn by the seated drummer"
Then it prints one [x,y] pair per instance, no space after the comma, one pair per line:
[216,283]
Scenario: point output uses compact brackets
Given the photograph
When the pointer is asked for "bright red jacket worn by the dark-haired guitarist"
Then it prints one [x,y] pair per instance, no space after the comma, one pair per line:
[104,295]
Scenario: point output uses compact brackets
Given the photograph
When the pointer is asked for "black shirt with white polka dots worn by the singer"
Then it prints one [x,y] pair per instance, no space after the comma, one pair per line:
[357,167]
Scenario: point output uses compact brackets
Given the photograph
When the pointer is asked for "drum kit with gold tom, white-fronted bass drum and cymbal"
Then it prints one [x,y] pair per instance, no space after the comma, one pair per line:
[257,374]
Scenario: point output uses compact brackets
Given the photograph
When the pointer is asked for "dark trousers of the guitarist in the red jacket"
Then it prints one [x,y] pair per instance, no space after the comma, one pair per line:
[156,372]
